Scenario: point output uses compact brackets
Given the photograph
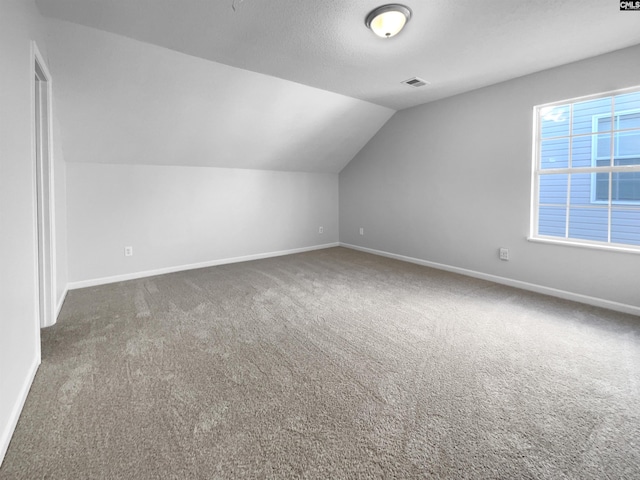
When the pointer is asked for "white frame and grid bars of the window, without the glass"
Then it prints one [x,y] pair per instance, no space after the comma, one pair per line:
[537,171]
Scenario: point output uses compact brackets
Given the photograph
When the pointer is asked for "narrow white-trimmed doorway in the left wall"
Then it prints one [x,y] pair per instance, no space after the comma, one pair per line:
[43,170]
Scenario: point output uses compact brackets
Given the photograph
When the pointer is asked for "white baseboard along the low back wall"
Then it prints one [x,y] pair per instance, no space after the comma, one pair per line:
[179,268]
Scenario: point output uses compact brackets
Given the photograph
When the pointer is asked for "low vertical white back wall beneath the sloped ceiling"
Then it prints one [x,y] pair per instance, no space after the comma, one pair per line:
[180,216]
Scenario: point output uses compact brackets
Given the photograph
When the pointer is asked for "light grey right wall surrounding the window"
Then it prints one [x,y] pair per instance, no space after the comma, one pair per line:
[449,182]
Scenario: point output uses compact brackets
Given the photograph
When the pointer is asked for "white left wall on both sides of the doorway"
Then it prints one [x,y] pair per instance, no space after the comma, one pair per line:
[20,23]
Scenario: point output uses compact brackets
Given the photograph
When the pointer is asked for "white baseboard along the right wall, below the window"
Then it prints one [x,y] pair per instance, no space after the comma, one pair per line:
[554,292]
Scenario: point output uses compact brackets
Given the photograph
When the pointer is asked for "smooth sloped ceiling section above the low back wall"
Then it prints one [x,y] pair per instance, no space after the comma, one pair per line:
[127,102]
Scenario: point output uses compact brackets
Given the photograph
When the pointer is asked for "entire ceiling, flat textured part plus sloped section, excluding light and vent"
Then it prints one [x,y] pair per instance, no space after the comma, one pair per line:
[288,84]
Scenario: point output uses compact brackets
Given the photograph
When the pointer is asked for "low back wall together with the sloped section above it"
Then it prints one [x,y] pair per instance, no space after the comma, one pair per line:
[191,161]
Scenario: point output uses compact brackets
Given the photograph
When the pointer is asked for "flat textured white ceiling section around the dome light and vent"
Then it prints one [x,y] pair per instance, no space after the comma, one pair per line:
[456,45]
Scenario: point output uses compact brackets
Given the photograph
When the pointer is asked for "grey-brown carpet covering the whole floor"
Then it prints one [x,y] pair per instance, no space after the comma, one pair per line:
[330,364]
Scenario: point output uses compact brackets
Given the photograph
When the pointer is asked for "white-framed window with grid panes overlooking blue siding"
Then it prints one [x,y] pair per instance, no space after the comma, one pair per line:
[586,176]
